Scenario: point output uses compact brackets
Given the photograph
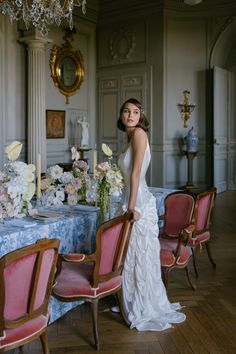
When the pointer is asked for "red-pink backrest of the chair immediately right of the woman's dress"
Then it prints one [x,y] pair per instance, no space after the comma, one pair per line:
[179,207]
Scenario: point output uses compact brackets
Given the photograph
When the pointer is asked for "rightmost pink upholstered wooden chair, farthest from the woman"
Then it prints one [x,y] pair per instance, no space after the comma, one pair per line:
[199,234]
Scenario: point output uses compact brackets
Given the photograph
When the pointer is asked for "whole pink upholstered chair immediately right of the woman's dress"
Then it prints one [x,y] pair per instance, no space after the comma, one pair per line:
[174,253]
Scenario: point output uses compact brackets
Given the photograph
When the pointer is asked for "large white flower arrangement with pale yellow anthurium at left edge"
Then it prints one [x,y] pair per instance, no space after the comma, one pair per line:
[17,185]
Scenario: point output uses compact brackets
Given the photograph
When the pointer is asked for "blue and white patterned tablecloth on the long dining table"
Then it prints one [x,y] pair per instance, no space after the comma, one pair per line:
[76,230]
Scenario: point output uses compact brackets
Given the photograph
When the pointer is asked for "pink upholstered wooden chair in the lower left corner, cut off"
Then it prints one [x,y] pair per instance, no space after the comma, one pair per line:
[26,278]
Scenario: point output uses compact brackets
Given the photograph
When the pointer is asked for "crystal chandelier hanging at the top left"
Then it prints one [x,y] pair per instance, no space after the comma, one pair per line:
[41,13]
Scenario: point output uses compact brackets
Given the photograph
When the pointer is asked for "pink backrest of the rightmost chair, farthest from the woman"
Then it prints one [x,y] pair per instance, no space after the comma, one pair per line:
[203,209]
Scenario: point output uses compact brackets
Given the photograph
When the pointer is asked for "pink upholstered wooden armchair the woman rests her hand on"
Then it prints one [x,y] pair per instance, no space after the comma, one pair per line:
[95,276]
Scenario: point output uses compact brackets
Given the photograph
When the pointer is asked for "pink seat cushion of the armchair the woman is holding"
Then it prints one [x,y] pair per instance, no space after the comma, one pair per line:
[75,281]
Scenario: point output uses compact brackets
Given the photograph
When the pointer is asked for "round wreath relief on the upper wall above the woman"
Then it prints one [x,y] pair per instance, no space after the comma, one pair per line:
[122,44]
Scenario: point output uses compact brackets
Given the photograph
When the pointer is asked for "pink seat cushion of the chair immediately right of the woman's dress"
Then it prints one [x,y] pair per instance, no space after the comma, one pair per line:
[167,256]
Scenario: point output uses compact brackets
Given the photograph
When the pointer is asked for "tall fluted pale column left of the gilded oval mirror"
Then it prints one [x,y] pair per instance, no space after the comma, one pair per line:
[36,48]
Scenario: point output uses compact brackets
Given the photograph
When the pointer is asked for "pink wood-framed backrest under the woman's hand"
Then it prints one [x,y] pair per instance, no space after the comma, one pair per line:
[111,245]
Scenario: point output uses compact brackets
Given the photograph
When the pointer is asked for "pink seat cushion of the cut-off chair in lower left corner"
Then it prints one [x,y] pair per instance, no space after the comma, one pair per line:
[24,331]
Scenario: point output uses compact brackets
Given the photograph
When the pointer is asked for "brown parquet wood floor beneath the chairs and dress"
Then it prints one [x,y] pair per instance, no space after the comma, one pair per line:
[211,309]
